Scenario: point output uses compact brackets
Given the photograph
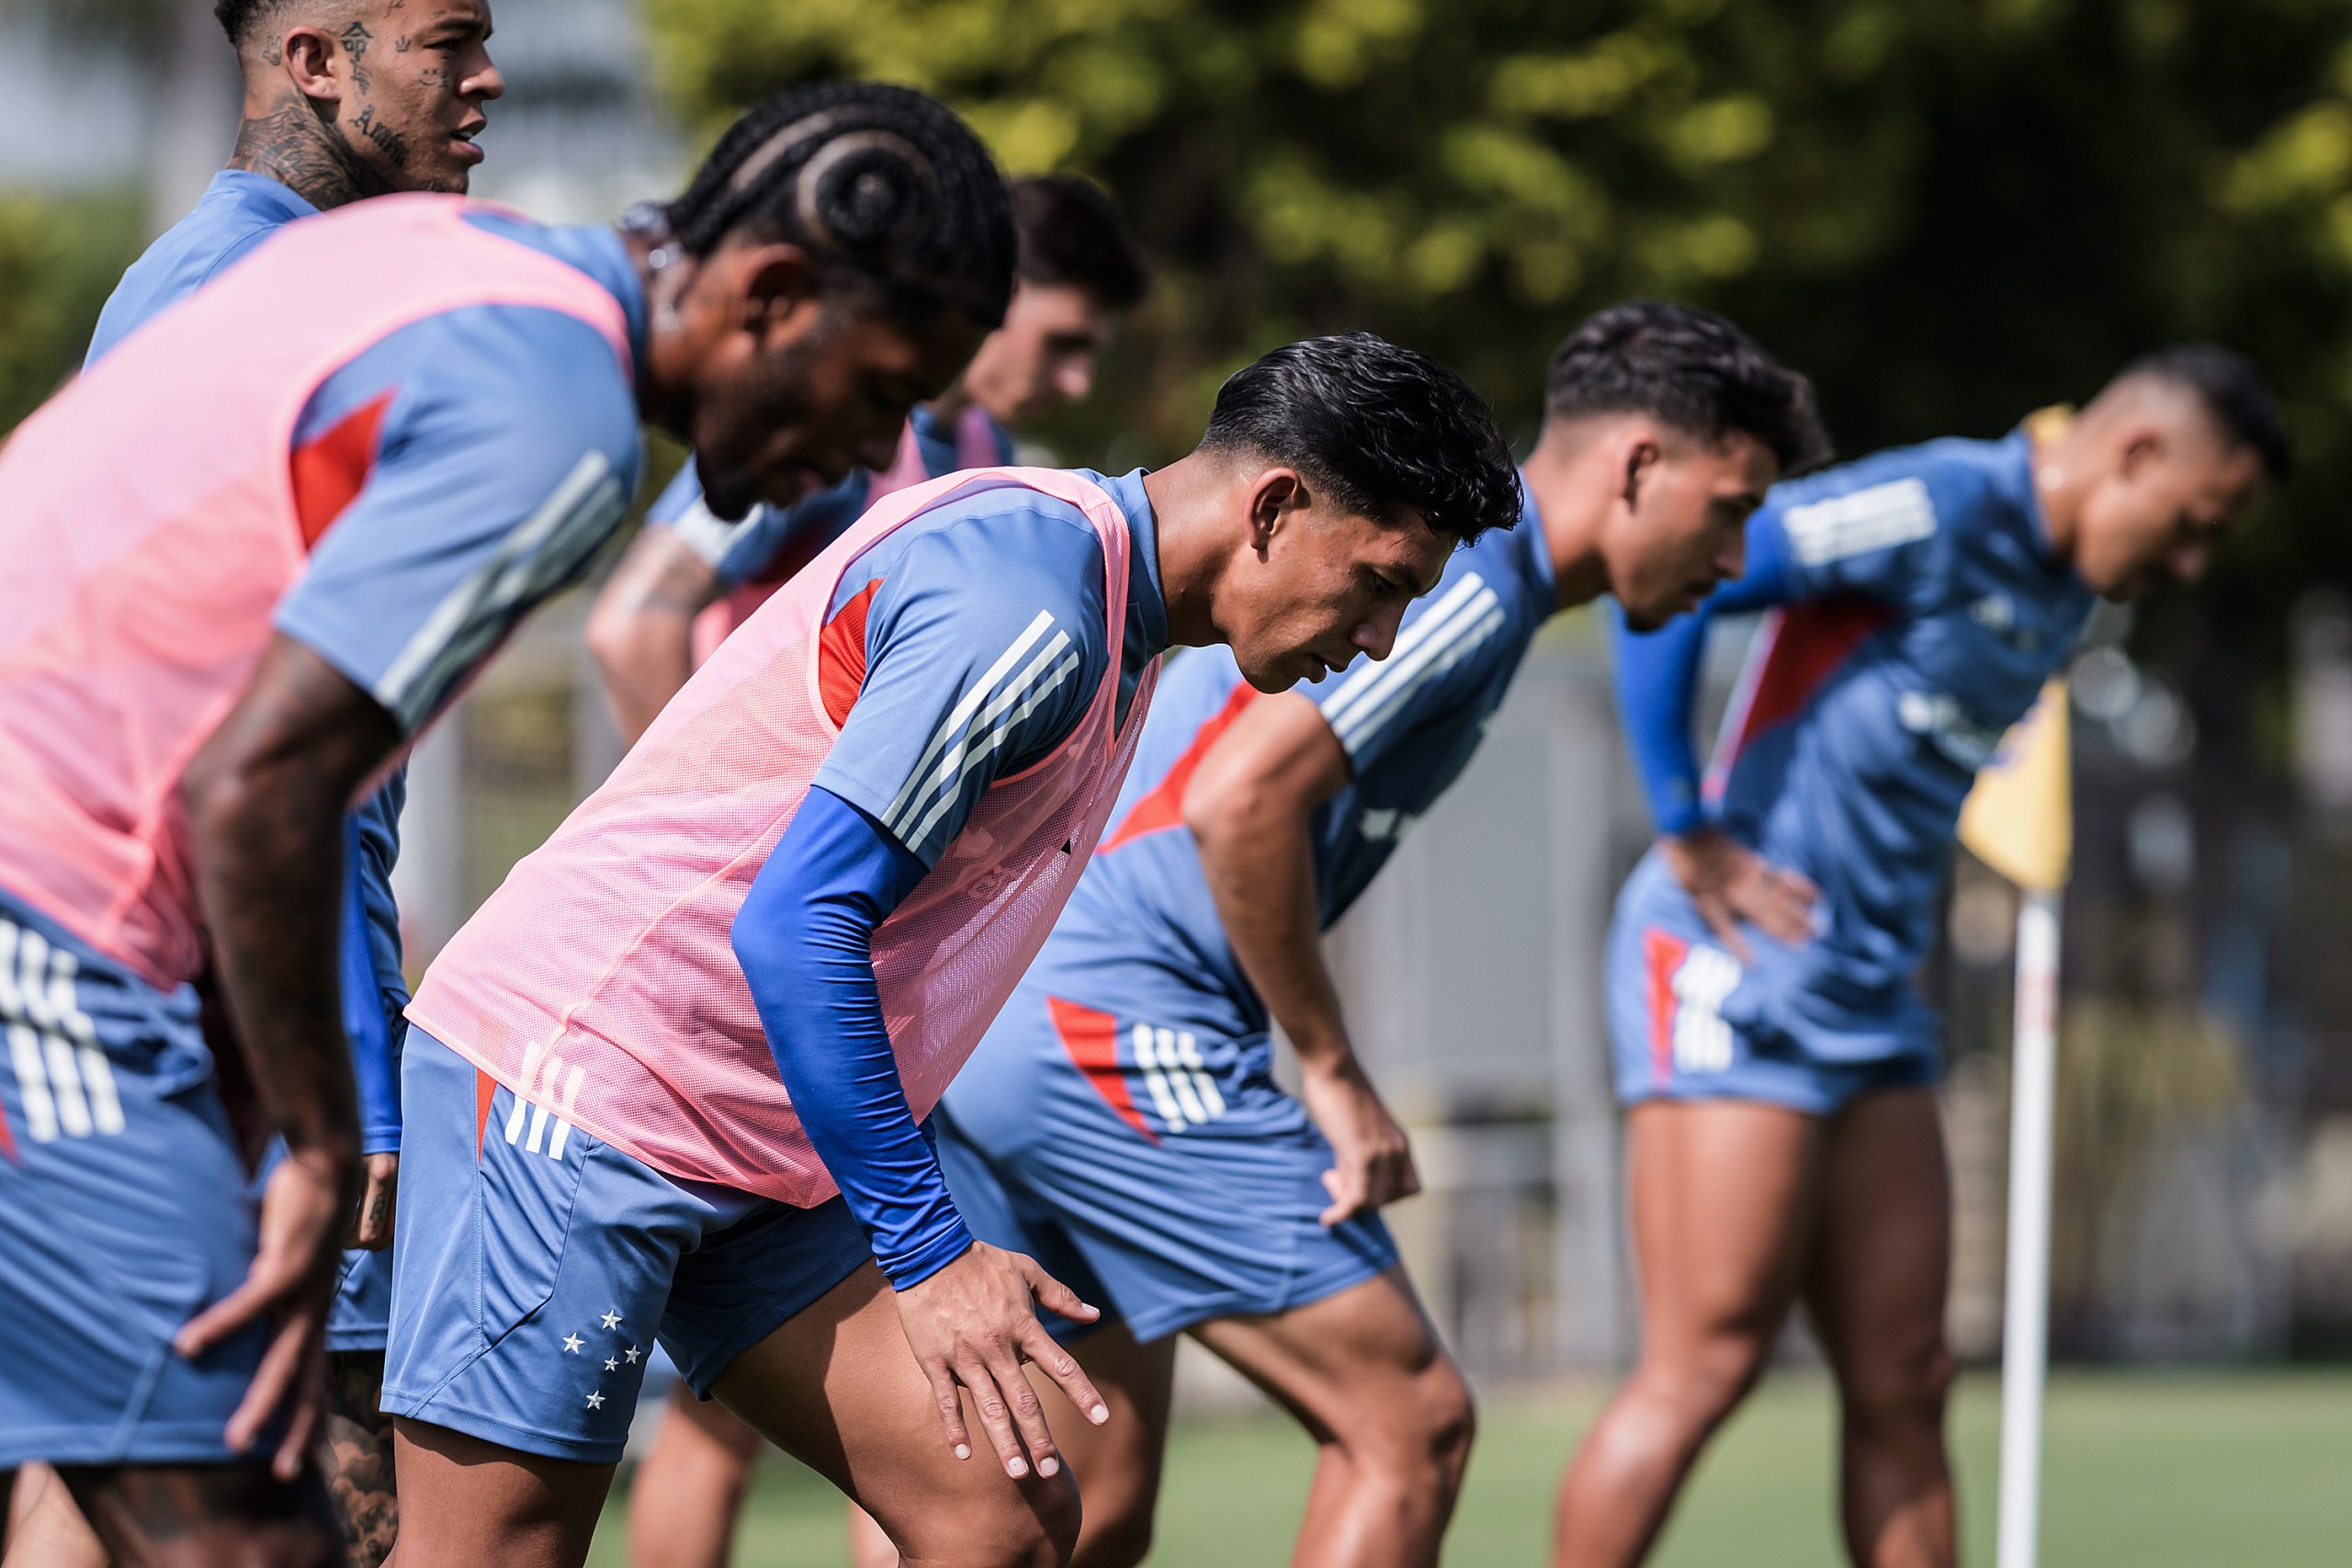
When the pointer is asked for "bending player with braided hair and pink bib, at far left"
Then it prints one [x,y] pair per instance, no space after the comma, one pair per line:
[258,617]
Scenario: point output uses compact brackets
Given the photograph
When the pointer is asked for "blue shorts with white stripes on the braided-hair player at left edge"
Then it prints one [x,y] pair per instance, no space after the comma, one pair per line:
[123,1212]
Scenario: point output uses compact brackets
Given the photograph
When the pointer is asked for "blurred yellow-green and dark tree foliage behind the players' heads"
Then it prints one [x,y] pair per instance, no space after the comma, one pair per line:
[1949,210]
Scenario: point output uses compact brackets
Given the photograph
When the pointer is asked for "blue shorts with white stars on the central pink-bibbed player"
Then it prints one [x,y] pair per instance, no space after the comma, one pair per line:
[537,1266]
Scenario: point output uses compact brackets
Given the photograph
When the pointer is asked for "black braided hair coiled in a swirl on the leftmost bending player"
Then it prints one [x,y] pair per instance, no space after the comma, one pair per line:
[881,185]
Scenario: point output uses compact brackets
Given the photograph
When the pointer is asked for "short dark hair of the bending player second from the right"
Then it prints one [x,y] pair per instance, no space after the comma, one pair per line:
[1692,370]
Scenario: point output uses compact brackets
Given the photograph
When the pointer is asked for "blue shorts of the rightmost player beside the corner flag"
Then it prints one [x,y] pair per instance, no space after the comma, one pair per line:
[1690,1024]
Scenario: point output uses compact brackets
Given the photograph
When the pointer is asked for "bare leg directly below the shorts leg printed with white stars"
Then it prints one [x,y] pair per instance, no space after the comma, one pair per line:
[483,1503]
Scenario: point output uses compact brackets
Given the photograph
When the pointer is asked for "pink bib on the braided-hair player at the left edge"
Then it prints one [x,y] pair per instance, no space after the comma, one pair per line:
[149,530]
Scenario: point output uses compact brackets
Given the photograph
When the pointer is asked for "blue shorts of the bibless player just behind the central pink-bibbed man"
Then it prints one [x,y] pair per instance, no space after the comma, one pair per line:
[1168,1181]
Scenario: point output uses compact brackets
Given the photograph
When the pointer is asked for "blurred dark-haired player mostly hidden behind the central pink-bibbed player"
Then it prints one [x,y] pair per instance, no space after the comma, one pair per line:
[693,579]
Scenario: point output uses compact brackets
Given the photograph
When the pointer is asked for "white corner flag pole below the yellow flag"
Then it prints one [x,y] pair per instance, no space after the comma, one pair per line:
[2026,1318]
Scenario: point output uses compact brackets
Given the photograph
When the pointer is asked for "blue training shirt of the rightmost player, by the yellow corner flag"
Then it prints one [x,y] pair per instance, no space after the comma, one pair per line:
[1920,612]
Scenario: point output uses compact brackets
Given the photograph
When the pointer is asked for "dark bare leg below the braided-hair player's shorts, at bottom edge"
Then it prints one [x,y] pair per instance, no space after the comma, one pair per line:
[208,1515]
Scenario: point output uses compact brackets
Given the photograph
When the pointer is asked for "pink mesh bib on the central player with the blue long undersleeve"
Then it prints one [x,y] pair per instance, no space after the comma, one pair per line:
[601,984]
